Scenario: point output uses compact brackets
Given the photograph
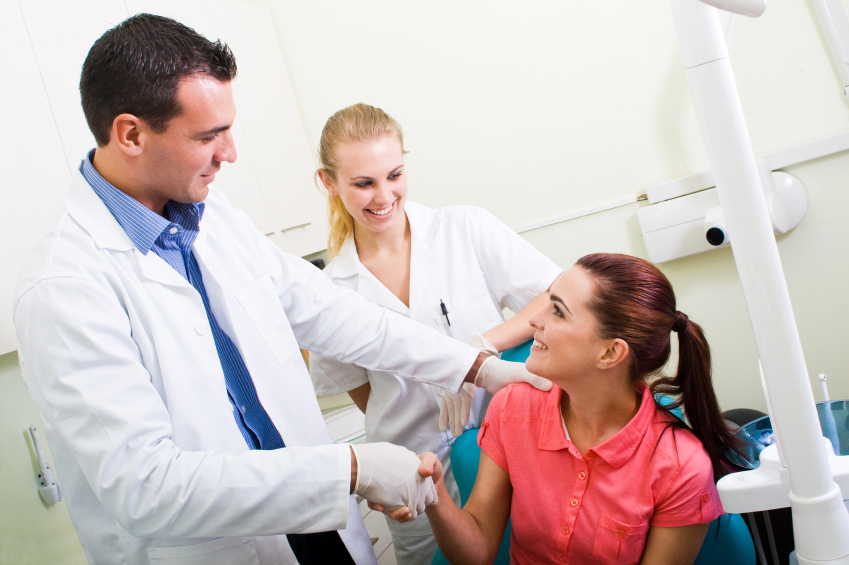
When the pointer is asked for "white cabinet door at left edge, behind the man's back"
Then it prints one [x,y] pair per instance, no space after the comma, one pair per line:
[35,171]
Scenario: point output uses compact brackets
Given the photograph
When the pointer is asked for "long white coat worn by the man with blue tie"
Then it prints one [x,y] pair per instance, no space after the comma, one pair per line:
[118,355]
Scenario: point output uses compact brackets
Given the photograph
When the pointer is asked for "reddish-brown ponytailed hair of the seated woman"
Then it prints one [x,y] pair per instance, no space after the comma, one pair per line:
[634,301]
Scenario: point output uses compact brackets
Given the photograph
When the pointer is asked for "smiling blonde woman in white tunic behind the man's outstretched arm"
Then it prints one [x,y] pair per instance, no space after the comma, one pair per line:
[453,269]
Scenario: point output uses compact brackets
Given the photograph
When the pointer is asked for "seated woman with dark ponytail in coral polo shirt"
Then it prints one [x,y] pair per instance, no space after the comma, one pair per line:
[594,471]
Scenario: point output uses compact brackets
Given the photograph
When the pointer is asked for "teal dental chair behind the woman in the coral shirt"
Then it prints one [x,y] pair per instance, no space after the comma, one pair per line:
[728,540]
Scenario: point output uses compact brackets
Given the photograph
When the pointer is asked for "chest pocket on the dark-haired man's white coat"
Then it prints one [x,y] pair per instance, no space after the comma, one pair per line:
[260,301]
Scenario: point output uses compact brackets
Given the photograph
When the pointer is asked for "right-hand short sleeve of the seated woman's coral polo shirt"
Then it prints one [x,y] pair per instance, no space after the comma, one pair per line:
[690,497]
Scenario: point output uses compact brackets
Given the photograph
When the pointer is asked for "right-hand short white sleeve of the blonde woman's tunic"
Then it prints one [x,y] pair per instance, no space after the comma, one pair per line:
[516,271]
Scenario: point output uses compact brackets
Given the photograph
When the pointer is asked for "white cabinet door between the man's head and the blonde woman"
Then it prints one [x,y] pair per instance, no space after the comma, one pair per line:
[274,137]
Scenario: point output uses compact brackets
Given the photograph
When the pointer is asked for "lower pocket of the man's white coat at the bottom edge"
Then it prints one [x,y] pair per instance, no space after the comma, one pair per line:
[222,551]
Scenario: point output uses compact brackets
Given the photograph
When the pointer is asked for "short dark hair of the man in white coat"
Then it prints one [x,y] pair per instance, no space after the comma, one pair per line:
[135,68]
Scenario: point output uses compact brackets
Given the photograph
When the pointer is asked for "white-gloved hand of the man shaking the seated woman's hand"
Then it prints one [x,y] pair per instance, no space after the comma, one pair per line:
[388,474]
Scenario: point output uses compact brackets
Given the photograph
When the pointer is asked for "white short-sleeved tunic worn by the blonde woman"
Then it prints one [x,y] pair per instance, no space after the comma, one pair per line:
[476,265]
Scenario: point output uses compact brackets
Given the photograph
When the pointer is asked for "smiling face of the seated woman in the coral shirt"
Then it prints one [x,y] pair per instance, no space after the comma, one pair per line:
[567,345]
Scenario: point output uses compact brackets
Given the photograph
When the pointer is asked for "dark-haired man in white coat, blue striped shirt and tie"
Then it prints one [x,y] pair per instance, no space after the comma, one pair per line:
[159,331]
